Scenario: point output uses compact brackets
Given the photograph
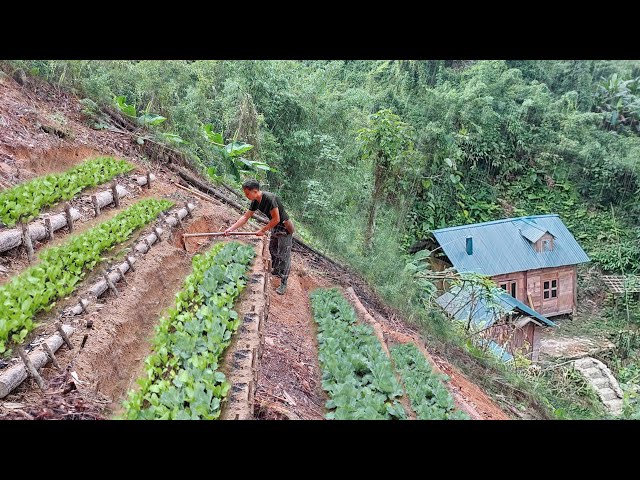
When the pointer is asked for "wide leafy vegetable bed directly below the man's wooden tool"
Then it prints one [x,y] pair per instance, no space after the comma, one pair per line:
[182,381]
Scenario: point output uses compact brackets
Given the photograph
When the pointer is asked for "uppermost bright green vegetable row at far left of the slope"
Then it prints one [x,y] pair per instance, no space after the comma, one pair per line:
[27,199]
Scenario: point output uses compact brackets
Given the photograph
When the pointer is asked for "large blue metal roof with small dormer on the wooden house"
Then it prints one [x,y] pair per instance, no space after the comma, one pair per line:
[501,247]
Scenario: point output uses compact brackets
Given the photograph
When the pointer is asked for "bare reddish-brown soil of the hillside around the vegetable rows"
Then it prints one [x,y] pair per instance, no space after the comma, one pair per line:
[42,131]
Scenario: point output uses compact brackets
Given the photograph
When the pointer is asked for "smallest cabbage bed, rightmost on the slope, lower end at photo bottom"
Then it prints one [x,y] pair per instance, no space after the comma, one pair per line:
[429,397]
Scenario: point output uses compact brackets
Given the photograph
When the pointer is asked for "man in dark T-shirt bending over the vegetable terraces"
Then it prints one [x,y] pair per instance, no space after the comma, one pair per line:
[282,236]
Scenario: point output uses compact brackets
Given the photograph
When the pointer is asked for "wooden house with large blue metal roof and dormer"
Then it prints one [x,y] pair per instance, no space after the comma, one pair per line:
[533,258]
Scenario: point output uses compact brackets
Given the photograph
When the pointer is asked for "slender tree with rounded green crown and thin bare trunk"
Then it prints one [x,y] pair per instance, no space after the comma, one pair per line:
[387,143]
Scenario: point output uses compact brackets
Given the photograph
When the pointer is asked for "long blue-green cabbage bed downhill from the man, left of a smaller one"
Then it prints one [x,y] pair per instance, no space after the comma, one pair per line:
[356,372]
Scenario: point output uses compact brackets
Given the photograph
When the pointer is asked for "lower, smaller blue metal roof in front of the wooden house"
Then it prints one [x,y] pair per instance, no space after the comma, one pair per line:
[462,304]
